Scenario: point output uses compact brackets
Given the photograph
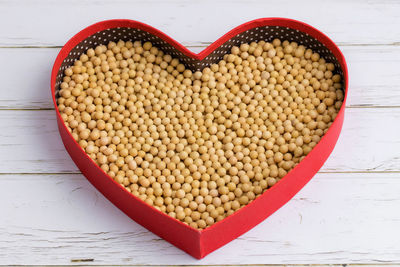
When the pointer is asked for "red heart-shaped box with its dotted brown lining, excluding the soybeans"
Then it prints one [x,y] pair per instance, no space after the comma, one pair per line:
[199,243]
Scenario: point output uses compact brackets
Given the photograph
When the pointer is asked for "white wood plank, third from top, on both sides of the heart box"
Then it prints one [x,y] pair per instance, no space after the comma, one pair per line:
[370,141]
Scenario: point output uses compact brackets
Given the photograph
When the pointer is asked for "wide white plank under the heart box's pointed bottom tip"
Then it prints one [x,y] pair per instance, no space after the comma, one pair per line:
[336,218]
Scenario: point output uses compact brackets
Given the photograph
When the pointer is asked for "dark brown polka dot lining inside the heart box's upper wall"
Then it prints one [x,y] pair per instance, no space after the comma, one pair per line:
[265,33]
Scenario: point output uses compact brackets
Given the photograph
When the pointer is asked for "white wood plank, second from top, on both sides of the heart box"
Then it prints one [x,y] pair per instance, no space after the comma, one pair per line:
[374,75]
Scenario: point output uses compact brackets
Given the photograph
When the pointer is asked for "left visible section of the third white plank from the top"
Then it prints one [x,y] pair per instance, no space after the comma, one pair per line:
[30,143]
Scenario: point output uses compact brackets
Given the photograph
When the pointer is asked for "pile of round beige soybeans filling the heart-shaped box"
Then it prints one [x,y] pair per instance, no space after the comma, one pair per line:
[198,146]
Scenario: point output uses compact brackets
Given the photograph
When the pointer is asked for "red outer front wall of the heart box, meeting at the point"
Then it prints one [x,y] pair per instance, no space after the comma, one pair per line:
[199,243]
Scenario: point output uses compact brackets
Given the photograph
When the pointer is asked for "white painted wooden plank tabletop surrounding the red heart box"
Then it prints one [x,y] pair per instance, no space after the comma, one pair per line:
[348,214]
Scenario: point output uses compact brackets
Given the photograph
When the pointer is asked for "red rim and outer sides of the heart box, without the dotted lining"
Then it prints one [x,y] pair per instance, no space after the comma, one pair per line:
[199,243]
